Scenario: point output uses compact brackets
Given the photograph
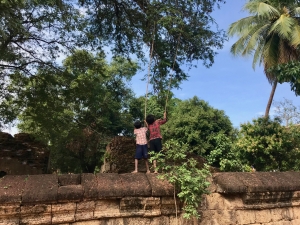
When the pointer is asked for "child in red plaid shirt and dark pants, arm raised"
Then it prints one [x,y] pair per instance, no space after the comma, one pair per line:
[155,136]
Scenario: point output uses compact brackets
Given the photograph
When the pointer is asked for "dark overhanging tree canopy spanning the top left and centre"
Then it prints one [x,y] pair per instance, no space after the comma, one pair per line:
[36,34]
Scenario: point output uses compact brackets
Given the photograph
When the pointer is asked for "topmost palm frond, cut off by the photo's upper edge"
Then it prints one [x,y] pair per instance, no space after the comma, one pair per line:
[261,9]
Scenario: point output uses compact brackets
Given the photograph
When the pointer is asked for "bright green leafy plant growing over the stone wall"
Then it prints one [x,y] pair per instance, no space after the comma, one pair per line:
[185,173]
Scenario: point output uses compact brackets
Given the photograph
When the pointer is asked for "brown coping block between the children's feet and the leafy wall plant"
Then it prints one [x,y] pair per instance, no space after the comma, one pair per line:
[160,187]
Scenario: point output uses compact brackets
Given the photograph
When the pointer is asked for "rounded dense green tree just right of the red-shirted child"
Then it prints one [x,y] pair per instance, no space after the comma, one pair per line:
[195,123]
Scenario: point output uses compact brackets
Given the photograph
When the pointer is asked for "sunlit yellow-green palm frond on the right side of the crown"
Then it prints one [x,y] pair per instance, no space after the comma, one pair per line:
[283,26]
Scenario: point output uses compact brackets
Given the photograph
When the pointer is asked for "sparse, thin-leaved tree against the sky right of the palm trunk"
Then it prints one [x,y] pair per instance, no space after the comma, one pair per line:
[286,111]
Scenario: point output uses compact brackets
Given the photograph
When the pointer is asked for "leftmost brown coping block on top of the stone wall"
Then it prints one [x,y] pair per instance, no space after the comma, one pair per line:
[11,188]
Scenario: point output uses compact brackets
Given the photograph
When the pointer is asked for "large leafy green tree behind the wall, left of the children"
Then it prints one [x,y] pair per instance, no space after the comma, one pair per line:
[78,110]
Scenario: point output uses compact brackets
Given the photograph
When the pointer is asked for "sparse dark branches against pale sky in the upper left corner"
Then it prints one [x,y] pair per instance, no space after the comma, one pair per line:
[35,33]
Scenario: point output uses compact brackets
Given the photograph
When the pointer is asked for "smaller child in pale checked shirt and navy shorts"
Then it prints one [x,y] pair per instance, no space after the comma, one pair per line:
[141,145]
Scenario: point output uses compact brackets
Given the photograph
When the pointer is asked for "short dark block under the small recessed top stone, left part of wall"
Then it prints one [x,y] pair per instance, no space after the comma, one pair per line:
[70,193]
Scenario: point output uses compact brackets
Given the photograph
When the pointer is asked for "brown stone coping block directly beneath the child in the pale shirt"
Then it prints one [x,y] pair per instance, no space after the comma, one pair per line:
[135,184]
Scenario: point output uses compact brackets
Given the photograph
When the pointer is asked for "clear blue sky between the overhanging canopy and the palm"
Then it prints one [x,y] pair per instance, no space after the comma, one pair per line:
[230,84]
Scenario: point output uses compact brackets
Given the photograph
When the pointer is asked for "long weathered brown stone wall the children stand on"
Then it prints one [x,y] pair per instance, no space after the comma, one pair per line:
[133,199]
